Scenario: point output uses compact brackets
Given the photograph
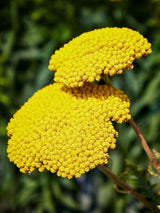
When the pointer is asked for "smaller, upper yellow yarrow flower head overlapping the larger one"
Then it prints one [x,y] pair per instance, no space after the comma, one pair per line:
[107,50]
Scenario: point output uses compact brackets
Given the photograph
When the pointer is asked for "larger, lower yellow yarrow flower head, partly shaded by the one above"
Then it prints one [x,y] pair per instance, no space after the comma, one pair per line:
[66,130]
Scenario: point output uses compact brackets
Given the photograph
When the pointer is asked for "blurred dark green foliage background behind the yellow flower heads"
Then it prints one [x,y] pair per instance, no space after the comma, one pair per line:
[30,31]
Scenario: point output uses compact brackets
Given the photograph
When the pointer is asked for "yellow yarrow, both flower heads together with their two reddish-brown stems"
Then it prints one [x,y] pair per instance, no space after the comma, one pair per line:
[66,127]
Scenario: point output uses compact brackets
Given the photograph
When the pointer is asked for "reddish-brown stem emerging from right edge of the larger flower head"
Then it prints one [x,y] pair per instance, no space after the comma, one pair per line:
[145,145]
